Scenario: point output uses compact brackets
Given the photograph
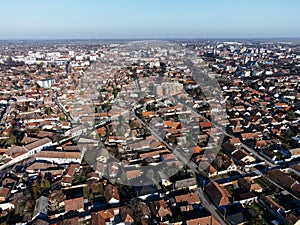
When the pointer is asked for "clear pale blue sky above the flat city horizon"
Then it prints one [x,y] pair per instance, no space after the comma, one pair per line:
[101,19]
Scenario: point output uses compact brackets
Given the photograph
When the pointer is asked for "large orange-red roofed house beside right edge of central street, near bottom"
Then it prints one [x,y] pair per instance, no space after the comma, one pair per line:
[218,195]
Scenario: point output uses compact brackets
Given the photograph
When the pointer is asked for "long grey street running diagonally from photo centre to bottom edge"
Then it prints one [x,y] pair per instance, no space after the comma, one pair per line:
[186,161]
